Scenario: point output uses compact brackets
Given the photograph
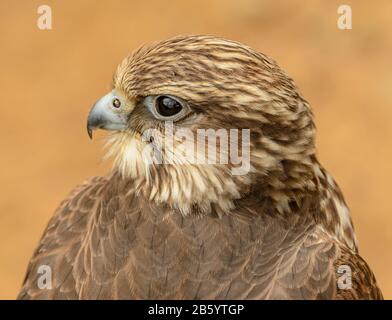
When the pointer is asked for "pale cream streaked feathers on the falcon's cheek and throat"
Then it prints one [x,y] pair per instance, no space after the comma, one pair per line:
[180,185]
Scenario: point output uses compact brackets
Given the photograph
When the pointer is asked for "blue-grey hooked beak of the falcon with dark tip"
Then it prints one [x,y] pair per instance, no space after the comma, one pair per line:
[107,114]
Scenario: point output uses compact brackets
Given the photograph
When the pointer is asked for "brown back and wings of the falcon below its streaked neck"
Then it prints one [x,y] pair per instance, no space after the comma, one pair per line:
[105,243]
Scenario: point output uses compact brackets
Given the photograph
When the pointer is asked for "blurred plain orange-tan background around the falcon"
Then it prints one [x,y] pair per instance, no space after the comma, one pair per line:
[49,79]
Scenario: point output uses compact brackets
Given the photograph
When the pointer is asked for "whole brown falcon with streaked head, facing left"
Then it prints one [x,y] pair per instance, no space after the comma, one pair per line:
[180,228]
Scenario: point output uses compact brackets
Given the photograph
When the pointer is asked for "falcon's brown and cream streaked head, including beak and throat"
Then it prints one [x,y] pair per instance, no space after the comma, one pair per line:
[173,90]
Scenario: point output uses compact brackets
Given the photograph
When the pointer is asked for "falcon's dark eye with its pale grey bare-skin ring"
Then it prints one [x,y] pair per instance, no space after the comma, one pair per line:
[166,107]
